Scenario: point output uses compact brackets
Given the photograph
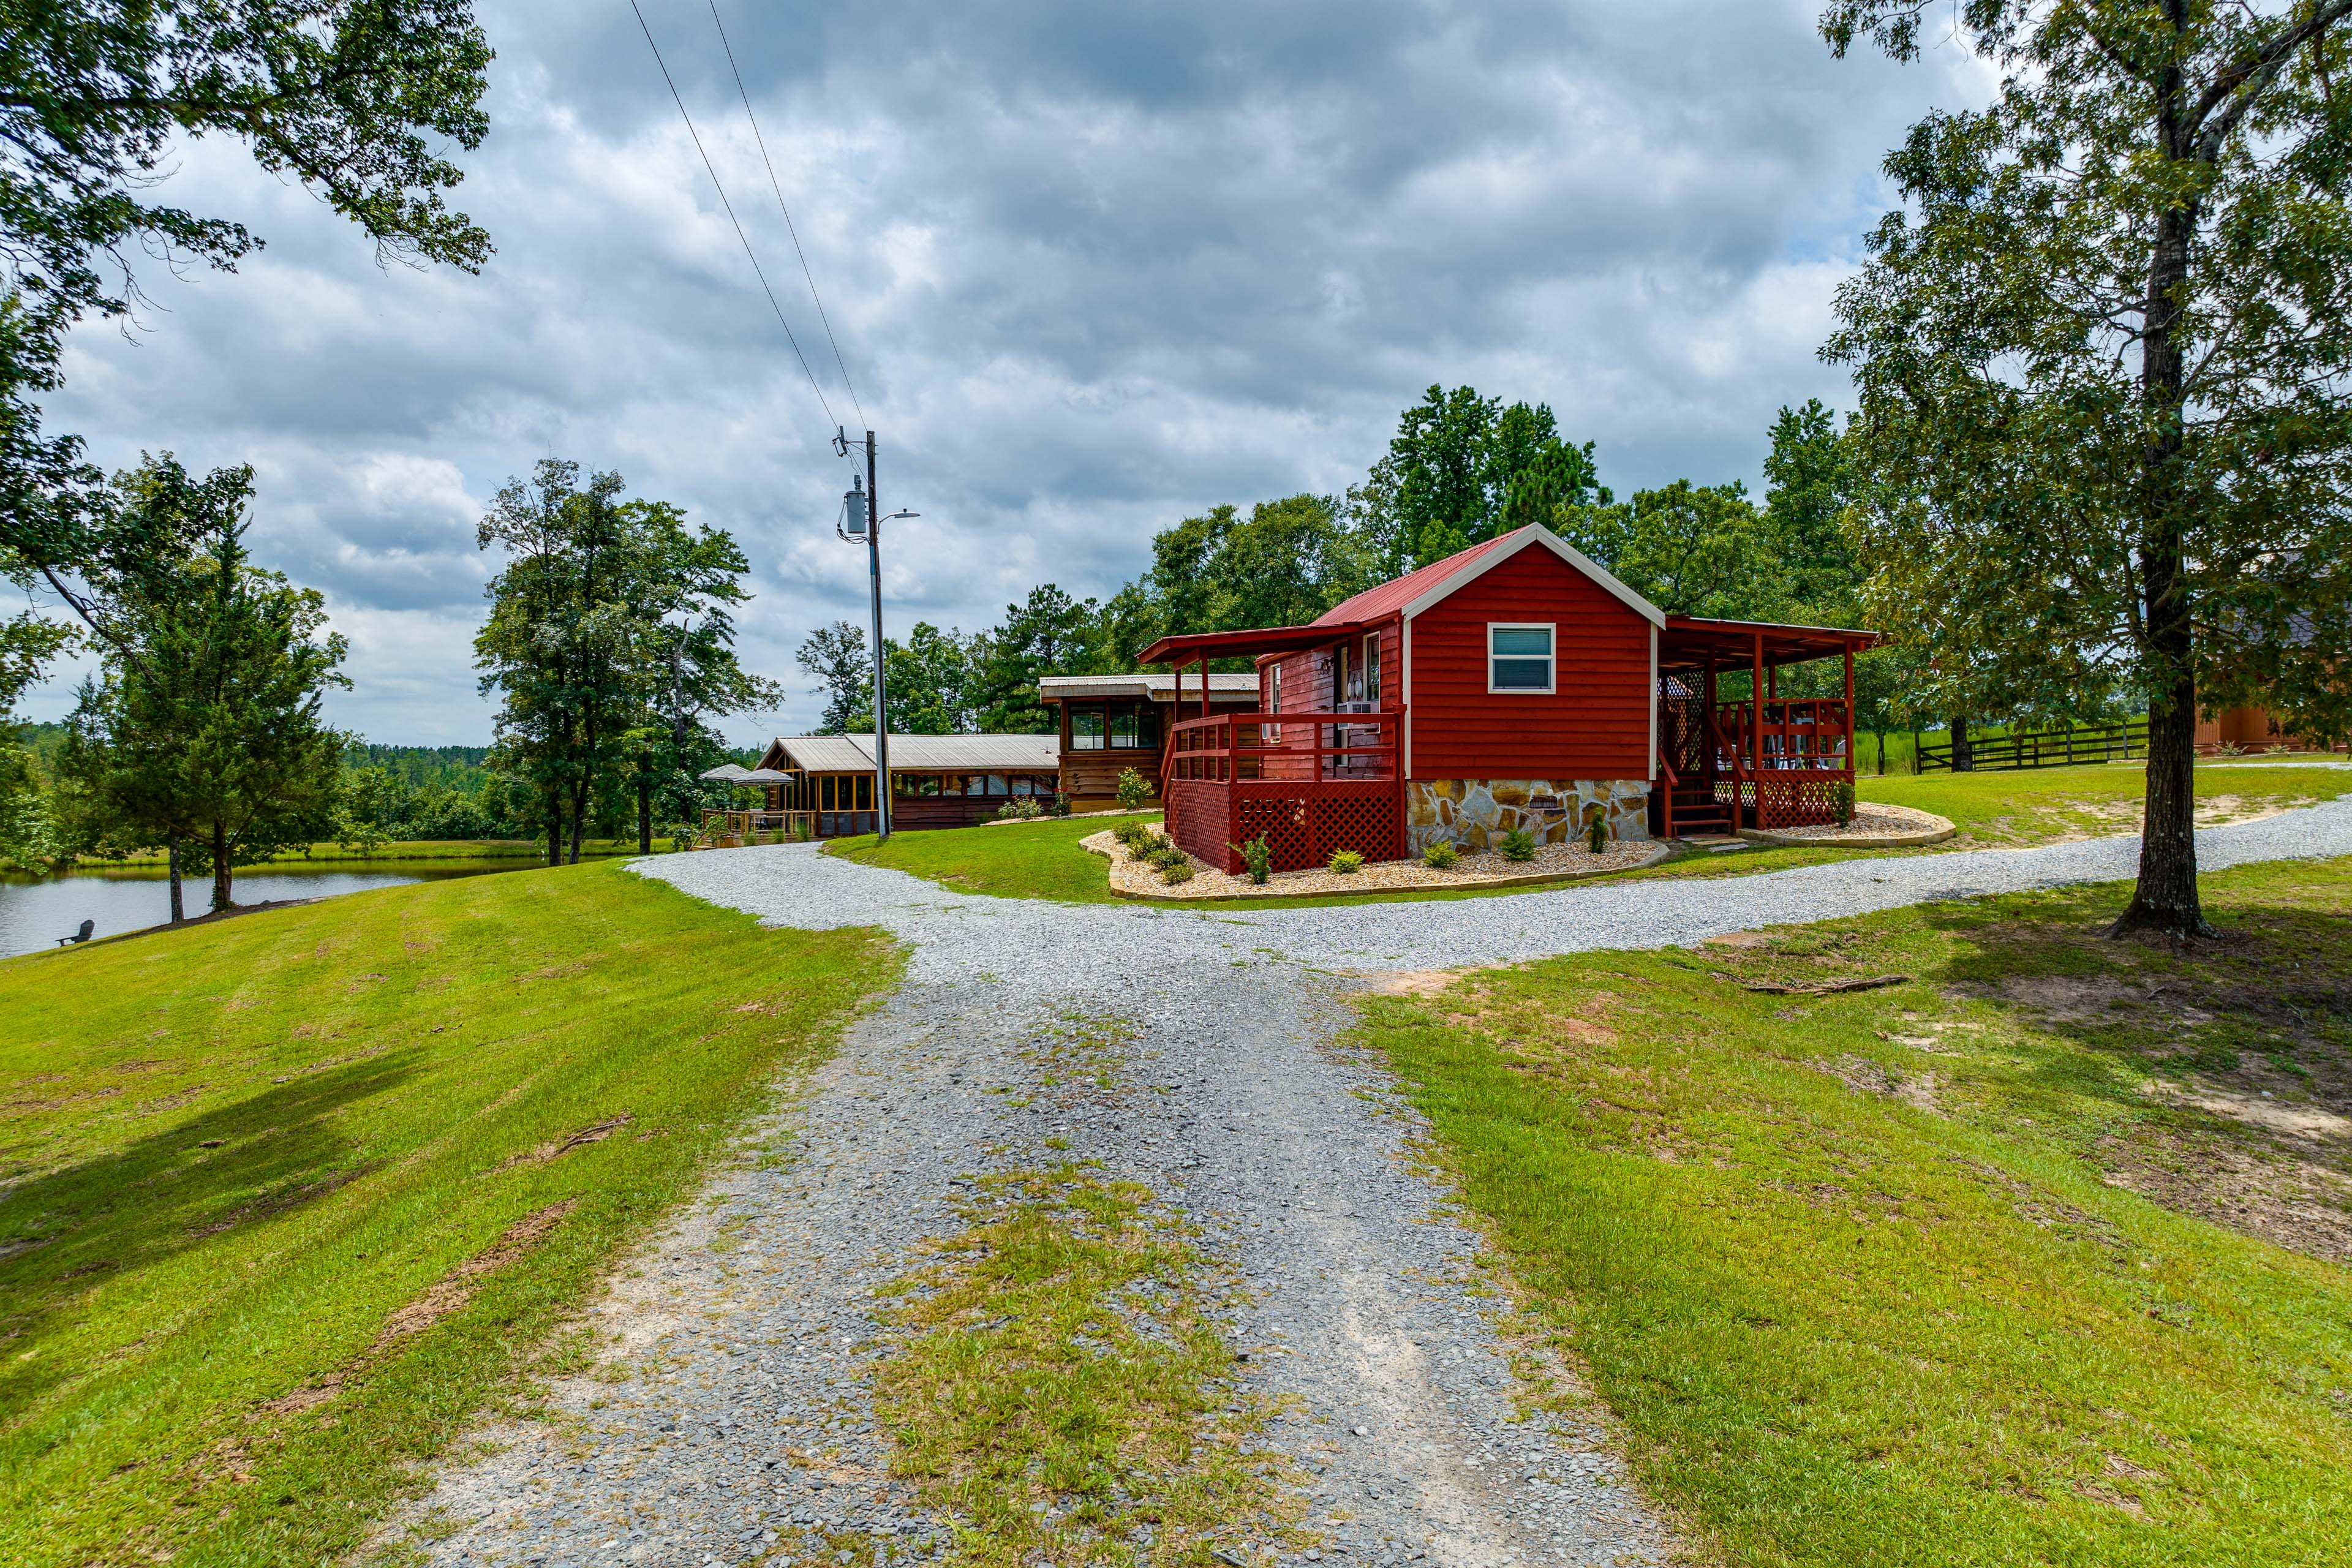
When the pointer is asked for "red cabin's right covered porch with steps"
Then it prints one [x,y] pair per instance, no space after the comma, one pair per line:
[1760,760]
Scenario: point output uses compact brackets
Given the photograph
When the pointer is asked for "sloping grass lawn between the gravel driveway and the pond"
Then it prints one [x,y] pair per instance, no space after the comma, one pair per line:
[295,1195]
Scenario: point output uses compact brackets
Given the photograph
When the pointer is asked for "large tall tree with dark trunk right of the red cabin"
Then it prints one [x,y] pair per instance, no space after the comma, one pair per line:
[2104,363]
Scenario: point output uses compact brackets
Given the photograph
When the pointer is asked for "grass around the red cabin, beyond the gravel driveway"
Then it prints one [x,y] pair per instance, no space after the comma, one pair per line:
[1991,810]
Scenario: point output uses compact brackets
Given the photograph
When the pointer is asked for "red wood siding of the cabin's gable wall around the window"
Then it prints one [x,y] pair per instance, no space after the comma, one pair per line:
[1593,725]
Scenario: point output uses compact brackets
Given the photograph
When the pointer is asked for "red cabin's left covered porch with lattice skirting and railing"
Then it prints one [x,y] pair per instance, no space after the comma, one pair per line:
[1309,779]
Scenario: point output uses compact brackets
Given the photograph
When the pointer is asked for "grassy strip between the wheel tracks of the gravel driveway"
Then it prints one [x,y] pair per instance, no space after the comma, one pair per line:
[1060,1379]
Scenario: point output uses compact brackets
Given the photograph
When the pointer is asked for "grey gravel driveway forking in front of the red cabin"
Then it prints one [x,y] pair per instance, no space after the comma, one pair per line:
[733,1412]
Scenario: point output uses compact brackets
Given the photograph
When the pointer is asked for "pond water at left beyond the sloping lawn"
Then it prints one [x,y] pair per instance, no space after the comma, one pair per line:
[34,913]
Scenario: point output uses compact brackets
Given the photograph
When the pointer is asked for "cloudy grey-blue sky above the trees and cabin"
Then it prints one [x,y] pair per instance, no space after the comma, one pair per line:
[1093,269]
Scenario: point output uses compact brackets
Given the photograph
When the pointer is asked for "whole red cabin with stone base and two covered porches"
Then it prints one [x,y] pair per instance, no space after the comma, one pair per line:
[1511,685]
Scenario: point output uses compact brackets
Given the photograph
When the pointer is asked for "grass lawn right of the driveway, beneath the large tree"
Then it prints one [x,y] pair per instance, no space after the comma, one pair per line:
[2036,1257]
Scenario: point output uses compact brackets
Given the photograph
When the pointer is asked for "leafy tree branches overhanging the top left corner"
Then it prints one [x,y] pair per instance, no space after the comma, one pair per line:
[356,100]
